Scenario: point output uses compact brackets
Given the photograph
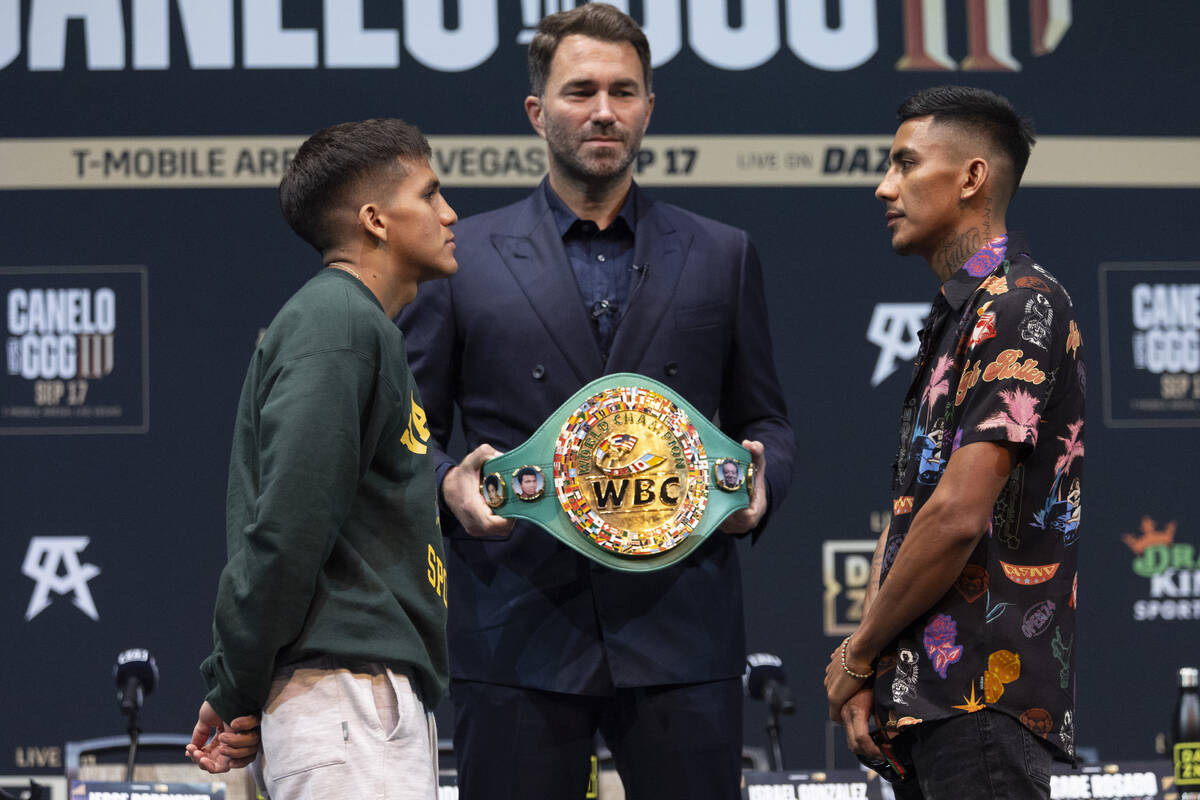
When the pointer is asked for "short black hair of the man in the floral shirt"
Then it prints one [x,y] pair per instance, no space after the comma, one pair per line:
[979,111]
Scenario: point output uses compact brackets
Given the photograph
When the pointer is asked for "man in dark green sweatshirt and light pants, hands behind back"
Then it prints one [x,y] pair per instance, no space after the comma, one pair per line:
[331,611]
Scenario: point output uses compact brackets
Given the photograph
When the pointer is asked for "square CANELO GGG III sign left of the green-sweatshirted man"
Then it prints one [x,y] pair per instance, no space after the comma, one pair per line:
[75,351]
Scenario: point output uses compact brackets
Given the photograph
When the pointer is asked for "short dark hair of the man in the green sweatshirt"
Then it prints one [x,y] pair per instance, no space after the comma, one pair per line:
[334,164]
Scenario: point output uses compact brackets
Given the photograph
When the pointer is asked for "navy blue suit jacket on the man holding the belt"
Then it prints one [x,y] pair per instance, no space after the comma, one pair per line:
[507,341]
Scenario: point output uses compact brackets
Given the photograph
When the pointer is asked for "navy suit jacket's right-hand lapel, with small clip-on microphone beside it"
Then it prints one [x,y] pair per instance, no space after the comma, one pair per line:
[661,251]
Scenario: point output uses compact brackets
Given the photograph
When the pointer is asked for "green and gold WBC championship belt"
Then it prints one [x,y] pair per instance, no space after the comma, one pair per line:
[626,472]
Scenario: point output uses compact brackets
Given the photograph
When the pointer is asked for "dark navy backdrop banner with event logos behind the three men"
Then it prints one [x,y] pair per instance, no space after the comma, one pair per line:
[142,252]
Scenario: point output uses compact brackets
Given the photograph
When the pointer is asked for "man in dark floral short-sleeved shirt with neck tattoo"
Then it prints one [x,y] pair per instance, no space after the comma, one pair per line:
[965,655]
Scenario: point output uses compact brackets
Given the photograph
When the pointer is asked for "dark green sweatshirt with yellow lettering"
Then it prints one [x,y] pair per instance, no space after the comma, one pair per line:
[334,543]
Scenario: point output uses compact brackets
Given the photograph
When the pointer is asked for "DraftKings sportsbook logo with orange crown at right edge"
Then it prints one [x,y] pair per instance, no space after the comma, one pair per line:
[1171,568]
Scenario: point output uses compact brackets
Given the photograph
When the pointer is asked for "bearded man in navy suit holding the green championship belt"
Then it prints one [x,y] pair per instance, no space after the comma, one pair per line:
[590,276]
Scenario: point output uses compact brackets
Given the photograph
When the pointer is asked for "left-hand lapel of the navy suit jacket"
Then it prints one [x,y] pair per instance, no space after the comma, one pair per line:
[536,257]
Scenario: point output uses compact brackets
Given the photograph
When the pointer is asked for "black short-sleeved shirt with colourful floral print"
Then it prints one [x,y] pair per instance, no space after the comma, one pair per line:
[1001,360]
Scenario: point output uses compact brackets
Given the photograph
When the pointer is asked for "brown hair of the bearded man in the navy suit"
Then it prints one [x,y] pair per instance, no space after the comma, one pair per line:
[595,20]
